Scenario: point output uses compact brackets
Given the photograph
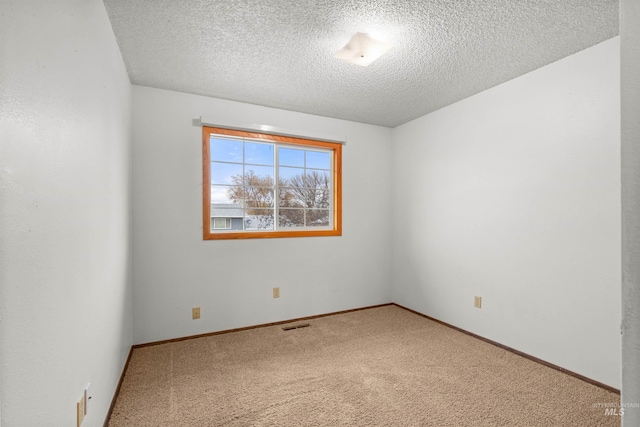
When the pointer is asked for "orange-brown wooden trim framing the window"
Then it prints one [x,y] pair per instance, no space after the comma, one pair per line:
[336,148]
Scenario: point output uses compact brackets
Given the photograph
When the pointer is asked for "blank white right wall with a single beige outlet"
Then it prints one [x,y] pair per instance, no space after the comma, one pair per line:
[514,195]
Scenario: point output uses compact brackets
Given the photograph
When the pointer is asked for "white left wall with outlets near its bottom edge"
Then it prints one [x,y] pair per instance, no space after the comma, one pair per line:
[65,286]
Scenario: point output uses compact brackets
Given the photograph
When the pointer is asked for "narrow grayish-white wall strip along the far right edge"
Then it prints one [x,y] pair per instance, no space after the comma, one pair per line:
[629,42]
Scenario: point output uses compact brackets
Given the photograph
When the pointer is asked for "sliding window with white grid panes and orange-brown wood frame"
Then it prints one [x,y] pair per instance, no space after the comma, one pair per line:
[260,185]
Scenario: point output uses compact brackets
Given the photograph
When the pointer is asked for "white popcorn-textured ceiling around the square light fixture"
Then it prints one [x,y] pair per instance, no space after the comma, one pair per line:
[280,53]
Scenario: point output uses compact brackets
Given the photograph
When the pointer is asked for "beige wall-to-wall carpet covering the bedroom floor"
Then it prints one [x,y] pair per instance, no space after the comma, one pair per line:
[382,366]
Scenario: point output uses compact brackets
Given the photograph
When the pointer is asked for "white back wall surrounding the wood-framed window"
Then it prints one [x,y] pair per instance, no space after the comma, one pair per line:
[232,280]
